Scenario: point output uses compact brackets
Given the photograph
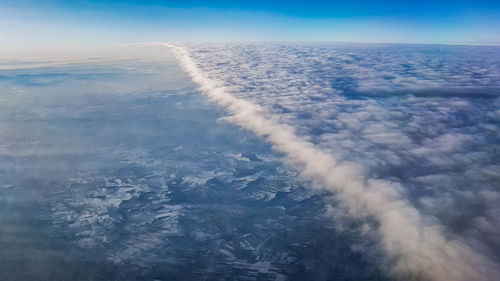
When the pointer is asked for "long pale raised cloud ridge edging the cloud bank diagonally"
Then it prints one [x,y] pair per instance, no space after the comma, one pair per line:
[419,249]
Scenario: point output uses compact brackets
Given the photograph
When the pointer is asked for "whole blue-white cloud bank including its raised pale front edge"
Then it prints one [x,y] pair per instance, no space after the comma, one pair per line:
[405,161]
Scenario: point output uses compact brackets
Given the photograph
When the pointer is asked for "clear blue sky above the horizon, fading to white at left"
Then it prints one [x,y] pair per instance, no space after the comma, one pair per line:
[34,26]
